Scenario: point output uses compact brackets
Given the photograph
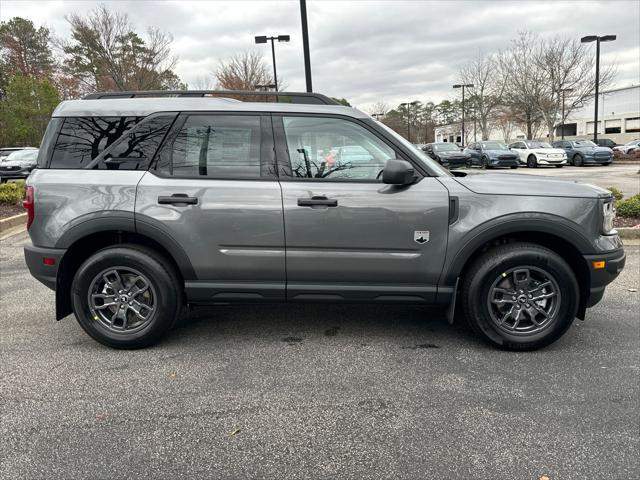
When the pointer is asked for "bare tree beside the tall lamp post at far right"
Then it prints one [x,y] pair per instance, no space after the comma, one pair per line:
[569,66]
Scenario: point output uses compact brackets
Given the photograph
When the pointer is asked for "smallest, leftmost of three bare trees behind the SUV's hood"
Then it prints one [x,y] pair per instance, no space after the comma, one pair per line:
[488,87]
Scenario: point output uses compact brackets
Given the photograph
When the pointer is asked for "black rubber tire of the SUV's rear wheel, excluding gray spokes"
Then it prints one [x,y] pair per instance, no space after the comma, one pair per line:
[163,281]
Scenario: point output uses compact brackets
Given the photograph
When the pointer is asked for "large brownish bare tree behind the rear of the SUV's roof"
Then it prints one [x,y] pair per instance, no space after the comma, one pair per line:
[105,53]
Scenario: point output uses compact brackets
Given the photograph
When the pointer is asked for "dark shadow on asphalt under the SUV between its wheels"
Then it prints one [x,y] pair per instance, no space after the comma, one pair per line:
[414,327]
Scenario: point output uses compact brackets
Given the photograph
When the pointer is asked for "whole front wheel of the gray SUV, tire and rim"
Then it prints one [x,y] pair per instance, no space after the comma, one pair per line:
[520,296]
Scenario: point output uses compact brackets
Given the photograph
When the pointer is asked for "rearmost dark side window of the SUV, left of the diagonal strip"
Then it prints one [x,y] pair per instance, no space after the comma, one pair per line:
[82,139]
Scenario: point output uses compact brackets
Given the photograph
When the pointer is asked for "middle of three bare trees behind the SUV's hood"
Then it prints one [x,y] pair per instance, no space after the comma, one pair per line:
[523,81]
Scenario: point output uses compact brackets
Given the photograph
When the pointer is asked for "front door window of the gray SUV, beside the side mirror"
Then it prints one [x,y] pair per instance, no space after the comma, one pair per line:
[334,149]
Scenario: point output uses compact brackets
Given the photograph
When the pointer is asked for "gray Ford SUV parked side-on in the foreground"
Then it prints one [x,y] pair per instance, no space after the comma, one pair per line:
[140,206]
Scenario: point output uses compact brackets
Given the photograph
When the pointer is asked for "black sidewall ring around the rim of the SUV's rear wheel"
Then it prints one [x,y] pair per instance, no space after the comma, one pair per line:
[166,307]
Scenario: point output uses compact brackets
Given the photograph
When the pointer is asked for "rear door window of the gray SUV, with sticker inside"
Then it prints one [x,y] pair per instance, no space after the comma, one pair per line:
[214,146]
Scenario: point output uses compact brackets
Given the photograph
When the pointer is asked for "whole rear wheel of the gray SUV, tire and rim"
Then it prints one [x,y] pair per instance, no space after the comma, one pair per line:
[125,297]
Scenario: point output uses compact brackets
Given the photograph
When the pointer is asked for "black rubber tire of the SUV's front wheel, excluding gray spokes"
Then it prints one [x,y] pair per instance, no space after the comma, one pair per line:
[481,278]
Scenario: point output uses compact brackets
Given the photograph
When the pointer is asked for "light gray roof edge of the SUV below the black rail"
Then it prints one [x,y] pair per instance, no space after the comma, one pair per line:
[125,107]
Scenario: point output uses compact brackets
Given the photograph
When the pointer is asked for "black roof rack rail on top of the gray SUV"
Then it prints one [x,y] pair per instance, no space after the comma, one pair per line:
[278,97]
